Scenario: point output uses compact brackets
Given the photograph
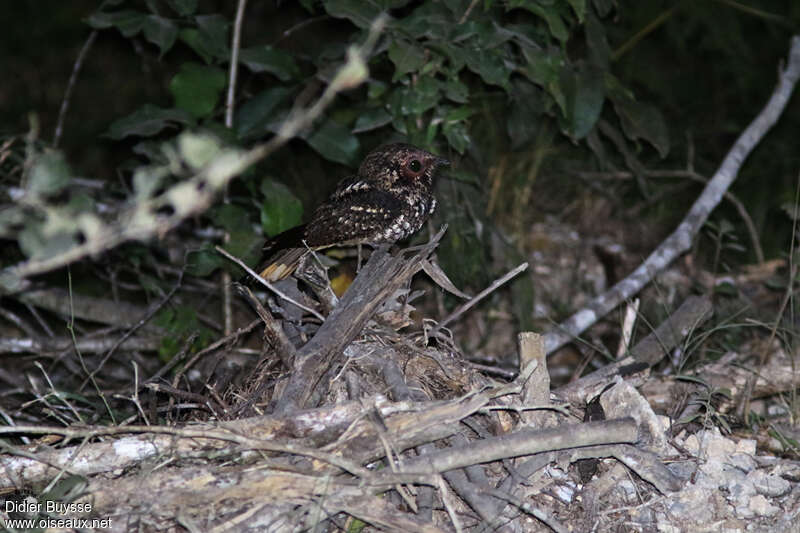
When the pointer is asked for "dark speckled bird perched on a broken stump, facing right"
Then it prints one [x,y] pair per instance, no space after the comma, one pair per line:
[389,198]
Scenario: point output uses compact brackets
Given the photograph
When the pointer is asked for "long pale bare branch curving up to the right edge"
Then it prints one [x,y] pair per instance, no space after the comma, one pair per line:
[681,239]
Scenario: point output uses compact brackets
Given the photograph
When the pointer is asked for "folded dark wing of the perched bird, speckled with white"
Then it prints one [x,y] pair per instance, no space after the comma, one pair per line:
[353,214]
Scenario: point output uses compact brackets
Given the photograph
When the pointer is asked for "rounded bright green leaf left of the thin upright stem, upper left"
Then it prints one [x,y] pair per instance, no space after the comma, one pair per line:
[196,88]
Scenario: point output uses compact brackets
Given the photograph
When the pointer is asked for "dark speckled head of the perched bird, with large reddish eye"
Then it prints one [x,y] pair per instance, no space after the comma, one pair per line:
[401,165]
